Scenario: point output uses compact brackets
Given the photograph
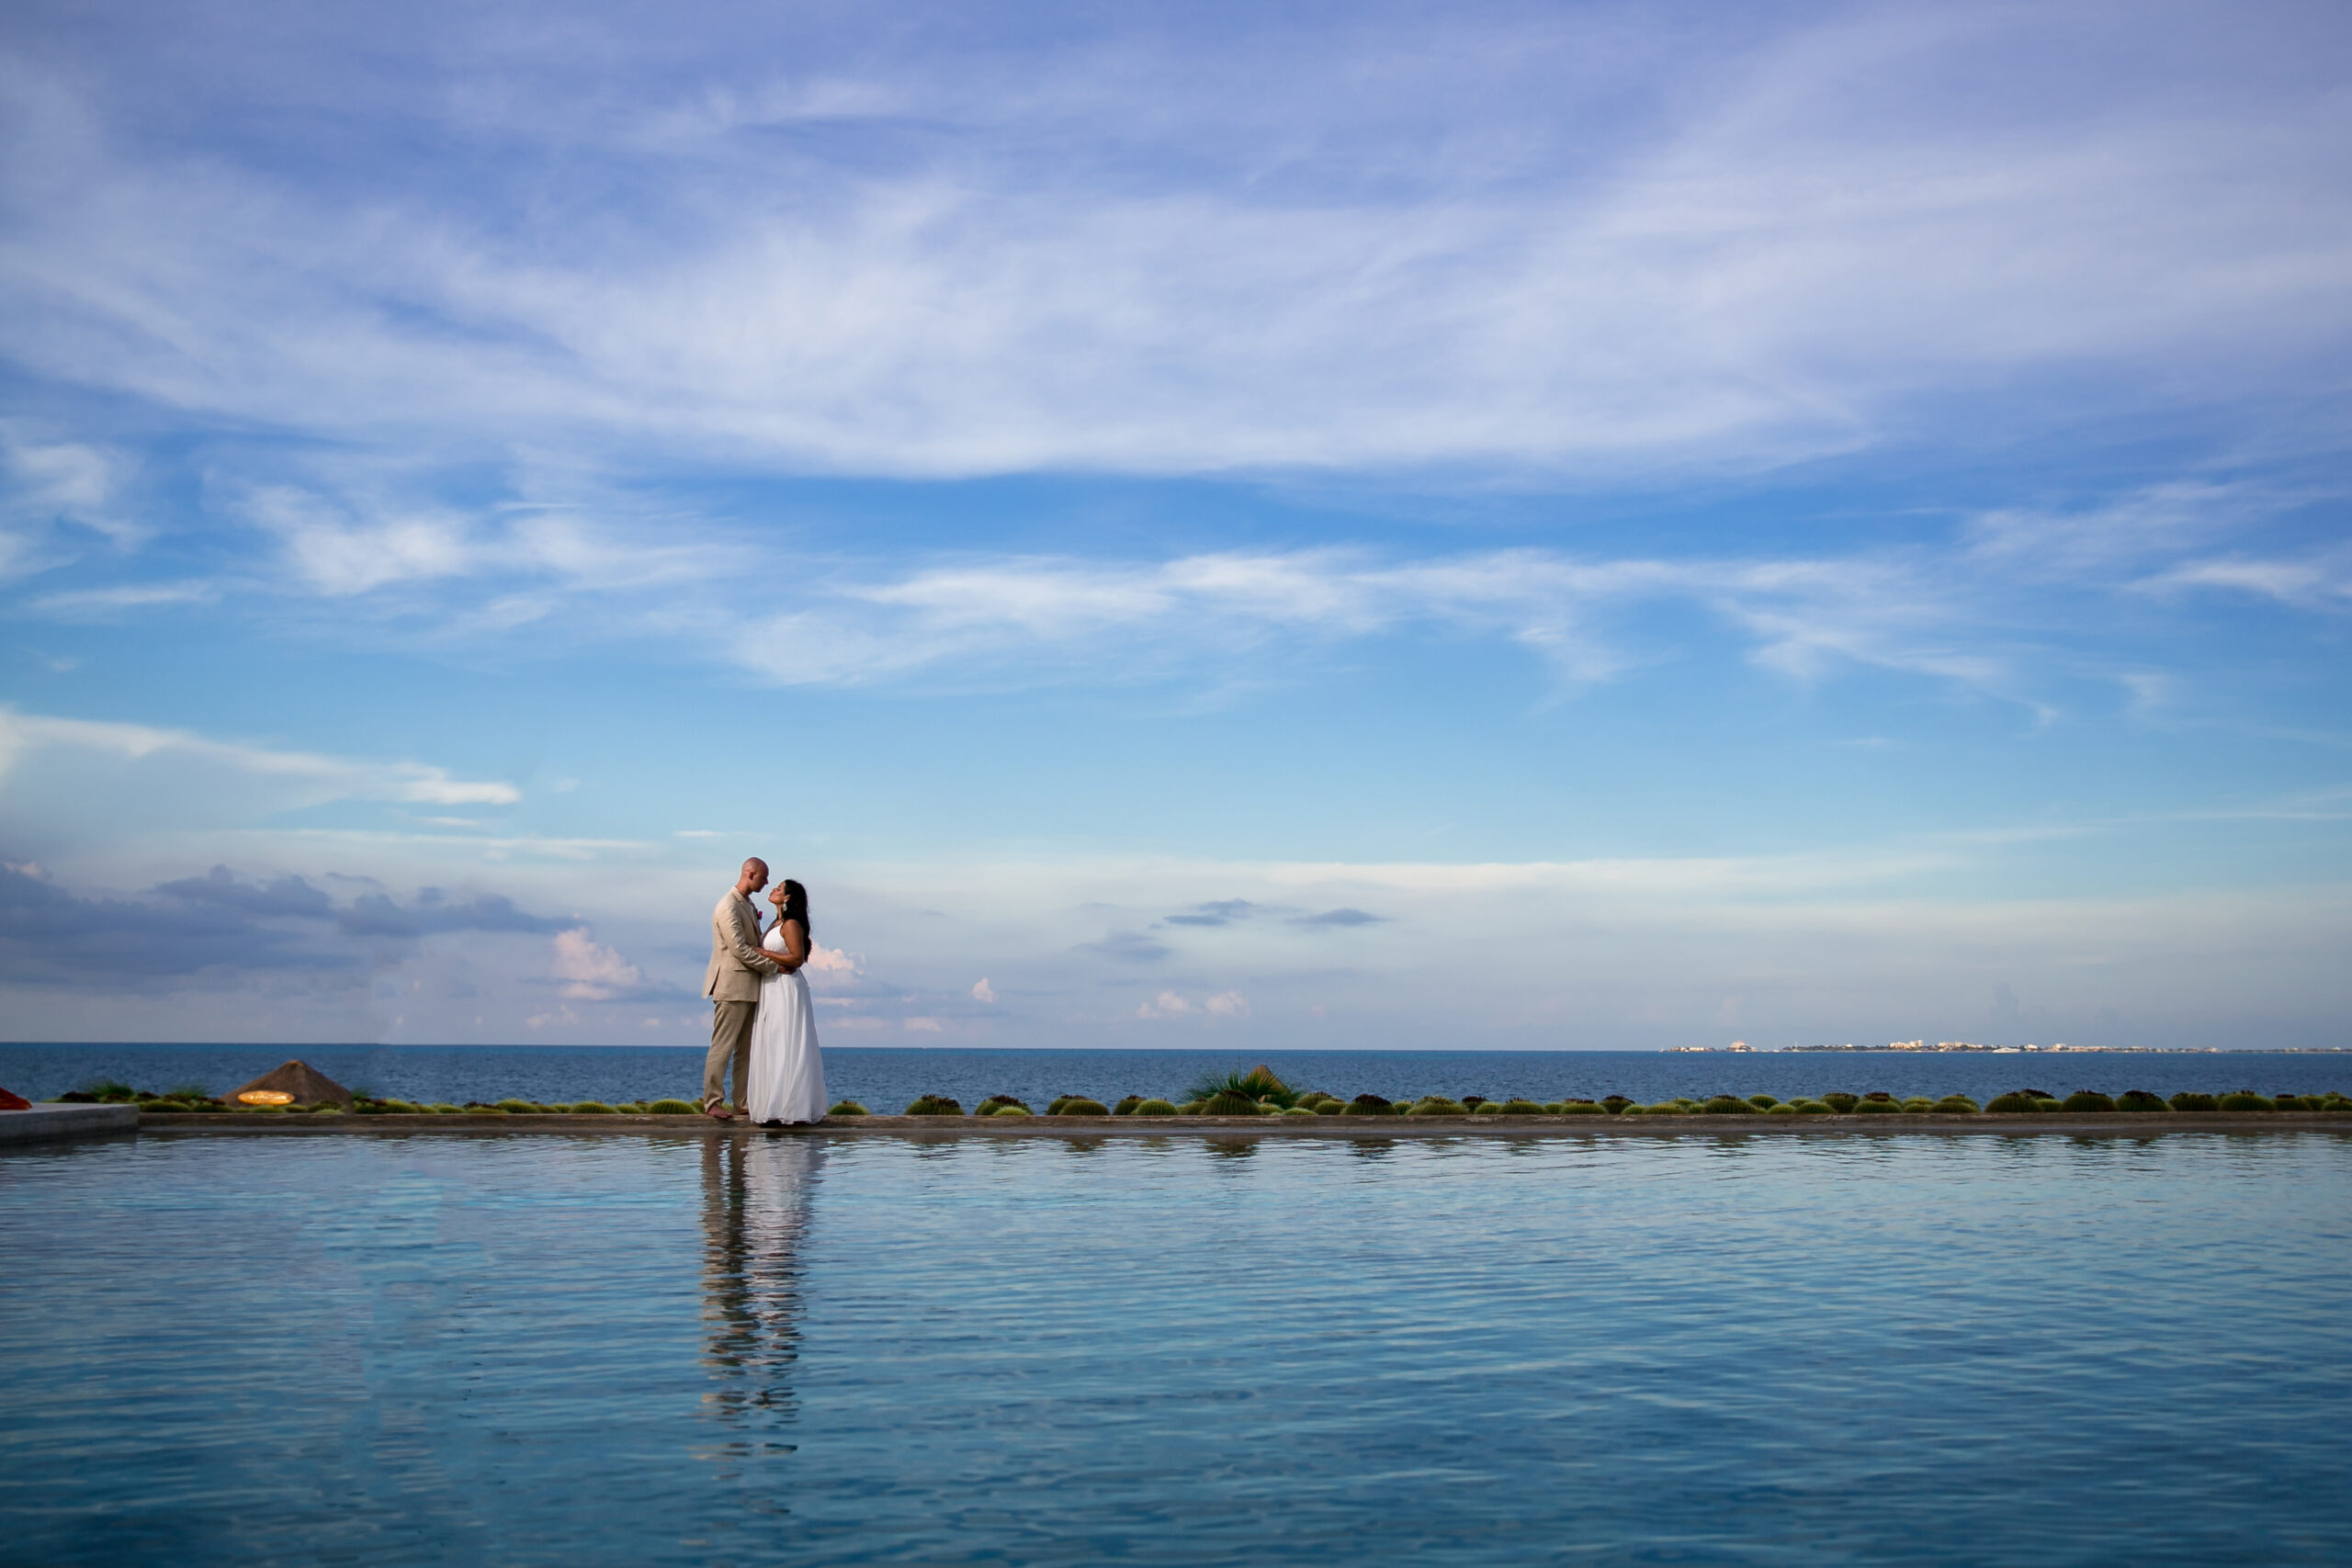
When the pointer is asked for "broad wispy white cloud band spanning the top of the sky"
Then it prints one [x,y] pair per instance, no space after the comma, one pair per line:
[996,264]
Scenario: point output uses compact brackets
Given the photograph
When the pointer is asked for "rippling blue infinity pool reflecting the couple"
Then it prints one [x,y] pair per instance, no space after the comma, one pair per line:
[742,1351]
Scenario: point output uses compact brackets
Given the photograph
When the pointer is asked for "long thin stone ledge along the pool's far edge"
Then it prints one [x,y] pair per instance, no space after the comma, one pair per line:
[1267,1127]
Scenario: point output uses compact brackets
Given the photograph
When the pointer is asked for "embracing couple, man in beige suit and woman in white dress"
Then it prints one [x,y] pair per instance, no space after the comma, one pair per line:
[761,1014]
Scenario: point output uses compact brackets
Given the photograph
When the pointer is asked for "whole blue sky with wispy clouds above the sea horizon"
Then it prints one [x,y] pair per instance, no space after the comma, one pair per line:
[1187,525]
